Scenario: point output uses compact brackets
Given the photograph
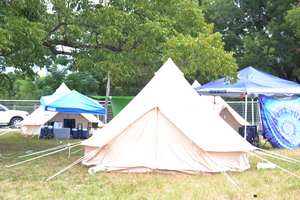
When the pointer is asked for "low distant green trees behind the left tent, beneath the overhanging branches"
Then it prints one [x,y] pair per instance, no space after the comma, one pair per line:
[16,86]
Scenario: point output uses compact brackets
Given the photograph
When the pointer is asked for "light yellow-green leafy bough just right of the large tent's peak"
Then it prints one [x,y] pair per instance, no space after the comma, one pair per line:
[202,57]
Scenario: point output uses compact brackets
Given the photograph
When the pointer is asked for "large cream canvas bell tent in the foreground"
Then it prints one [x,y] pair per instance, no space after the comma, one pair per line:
[165,128]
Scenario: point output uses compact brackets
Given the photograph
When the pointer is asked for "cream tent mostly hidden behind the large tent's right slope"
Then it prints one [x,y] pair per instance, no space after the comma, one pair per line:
[223,109]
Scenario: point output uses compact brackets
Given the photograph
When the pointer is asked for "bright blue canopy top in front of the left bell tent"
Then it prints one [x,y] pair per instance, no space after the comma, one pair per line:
[72,102]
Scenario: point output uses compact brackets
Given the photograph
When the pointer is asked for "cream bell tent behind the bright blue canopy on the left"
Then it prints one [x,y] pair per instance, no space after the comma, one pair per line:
[33,123]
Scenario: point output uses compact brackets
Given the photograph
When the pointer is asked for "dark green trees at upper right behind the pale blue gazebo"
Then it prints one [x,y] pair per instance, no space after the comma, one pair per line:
[264,34]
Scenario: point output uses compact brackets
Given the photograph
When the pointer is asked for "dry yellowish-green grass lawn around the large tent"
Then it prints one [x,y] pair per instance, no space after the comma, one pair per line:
[27,181]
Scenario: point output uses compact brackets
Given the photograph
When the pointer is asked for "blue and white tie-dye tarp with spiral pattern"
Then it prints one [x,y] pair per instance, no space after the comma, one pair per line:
[281,120]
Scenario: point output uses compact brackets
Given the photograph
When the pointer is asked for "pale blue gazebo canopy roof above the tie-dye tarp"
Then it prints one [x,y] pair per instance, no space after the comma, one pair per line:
[250,81]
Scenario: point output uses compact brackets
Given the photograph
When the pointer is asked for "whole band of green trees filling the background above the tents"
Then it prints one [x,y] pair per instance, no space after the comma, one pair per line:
[80,41]
